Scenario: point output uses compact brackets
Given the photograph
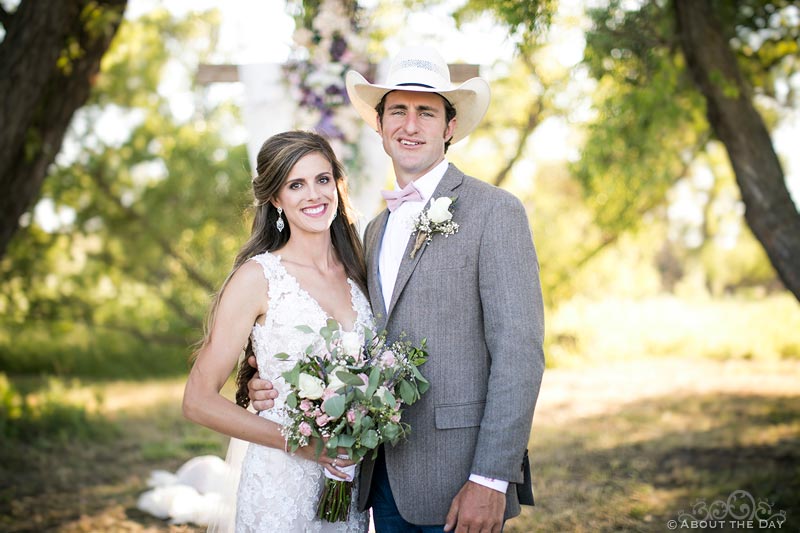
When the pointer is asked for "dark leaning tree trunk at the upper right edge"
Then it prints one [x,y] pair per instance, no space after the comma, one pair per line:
[769,210]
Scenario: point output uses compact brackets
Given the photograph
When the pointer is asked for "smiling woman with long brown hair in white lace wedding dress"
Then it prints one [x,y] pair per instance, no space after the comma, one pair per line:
[302,264]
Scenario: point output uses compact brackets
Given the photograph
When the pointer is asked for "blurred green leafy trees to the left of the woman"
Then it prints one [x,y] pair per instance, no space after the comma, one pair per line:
[121,286]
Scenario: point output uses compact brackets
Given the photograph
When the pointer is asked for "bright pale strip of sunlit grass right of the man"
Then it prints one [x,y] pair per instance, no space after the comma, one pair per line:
[623,329]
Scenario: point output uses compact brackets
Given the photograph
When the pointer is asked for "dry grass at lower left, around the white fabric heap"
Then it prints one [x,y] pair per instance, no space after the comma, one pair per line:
[92,484]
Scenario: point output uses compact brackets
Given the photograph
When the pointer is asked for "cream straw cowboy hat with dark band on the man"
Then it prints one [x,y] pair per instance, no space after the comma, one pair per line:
[422,69]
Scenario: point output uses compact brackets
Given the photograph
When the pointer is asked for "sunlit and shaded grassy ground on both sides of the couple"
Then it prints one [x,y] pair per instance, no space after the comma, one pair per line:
[620,442]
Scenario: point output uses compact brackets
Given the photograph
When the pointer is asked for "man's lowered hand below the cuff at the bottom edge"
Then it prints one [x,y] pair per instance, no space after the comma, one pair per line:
[476,509]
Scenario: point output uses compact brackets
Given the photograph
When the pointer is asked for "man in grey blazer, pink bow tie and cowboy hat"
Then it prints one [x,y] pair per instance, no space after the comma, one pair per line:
[474,295]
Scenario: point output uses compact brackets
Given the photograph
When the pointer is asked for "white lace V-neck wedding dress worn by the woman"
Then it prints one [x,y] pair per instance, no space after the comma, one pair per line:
[279,492]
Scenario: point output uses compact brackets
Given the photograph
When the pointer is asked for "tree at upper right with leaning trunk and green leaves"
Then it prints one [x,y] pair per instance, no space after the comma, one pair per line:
[670,81]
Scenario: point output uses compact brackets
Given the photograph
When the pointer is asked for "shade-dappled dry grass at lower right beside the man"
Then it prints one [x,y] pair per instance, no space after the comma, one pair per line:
[638,467]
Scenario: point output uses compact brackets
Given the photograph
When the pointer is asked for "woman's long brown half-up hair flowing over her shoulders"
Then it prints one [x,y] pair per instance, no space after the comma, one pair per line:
[275,160]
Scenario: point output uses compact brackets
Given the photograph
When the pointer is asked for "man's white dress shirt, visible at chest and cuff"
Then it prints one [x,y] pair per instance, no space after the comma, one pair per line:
[393,245]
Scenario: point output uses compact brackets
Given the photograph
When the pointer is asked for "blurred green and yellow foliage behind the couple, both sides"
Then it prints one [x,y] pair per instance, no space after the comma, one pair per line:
[160,207]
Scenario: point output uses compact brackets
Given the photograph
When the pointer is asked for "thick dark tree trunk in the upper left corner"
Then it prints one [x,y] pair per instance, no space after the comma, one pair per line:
[48,57]
